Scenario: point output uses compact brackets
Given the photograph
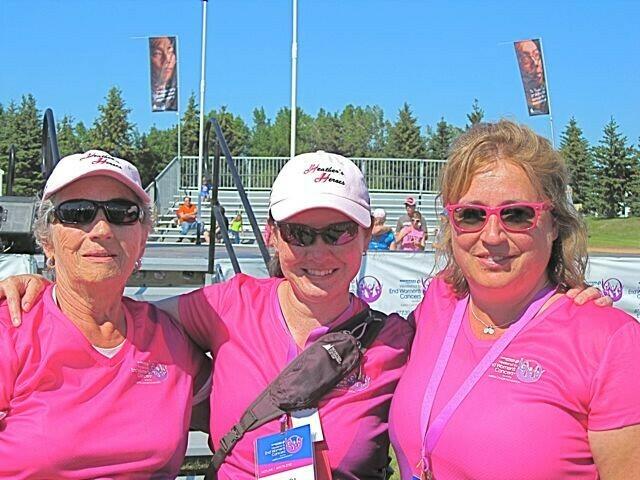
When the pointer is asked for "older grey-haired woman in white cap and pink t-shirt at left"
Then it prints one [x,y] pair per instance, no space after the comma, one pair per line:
[84,382]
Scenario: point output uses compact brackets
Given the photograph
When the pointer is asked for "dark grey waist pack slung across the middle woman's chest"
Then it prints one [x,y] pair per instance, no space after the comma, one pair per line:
[361,330]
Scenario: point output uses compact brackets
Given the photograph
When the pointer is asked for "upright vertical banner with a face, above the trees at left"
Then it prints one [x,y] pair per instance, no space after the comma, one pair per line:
[163,60]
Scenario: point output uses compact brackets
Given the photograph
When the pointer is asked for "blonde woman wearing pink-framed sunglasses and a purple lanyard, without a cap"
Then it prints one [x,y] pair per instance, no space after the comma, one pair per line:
[507,377]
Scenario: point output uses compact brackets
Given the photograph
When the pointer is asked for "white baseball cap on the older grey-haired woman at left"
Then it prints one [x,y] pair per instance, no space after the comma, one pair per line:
[90,164]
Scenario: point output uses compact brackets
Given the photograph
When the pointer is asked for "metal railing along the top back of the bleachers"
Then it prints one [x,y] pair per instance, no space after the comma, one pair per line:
[383,174]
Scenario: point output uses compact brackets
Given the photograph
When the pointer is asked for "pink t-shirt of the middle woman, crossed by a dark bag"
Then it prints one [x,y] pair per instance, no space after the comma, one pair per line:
[242,323]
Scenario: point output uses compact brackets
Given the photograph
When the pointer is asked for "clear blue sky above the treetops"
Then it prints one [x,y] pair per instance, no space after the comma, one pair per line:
[436,55]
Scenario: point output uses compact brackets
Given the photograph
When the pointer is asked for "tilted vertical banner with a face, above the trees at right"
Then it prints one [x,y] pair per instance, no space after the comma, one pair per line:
[529,53]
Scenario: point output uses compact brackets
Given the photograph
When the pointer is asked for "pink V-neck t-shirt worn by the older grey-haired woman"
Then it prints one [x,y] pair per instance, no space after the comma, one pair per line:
[71,412]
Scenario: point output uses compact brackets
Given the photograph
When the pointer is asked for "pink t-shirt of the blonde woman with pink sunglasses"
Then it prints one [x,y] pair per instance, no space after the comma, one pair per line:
[572,369]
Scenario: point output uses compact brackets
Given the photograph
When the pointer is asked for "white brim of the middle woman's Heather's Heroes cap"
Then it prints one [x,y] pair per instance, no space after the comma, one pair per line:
[285,209]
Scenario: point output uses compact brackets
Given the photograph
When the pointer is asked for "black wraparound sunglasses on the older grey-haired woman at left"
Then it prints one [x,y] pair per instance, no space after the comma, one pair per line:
[82,212]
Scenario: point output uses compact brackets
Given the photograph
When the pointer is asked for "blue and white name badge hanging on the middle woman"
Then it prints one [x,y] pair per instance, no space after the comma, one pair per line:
[285,456]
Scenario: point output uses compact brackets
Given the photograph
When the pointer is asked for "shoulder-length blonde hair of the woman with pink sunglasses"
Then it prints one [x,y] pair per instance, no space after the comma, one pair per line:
[478,150]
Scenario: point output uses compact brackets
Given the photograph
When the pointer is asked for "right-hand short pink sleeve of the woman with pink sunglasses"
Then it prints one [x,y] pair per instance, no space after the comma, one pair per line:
[615,390]
